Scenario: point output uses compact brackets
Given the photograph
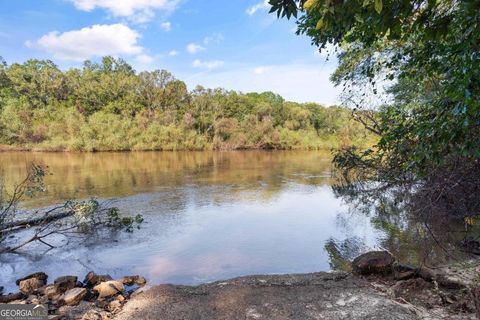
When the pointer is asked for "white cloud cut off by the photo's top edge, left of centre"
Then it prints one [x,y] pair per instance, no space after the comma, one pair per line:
[140,11]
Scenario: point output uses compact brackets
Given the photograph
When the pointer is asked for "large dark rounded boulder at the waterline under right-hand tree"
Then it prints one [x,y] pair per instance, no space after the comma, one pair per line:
[374,262]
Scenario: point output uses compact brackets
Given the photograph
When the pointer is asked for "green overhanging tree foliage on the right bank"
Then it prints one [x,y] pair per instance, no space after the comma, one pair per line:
[425,54]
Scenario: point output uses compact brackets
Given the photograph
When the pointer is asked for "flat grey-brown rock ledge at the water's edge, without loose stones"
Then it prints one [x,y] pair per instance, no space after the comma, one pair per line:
[304,296]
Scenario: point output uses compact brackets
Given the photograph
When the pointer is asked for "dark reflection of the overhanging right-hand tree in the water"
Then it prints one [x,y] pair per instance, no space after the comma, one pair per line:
[411,237]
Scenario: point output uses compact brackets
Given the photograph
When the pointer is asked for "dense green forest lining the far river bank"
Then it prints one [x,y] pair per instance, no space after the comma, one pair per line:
[107,106]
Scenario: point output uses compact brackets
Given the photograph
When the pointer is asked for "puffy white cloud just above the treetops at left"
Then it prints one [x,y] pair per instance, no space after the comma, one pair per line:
[95,41]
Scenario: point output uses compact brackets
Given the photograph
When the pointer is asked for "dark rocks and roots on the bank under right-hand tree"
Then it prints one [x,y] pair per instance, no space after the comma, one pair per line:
[420,286]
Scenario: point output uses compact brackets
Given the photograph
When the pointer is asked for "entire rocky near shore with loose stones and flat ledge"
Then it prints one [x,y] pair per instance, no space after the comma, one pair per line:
[378,288]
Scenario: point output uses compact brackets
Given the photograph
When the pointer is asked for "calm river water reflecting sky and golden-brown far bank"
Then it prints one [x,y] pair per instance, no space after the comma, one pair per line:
[209,215]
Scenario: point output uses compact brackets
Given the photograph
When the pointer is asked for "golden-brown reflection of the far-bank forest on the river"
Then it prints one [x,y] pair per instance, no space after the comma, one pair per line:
[107,175]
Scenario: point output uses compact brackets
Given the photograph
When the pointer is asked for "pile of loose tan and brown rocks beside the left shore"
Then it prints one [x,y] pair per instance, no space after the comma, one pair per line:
[98,297]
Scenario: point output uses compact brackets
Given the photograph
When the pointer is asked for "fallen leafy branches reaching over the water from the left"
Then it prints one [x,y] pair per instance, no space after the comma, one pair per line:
[72,219]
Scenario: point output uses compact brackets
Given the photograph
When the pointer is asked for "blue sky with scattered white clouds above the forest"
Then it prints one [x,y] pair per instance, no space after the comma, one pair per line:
[216,43]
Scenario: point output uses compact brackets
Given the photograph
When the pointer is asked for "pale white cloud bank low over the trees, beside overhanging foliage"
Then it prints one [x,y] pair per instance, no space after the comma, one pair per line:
[295,82]
